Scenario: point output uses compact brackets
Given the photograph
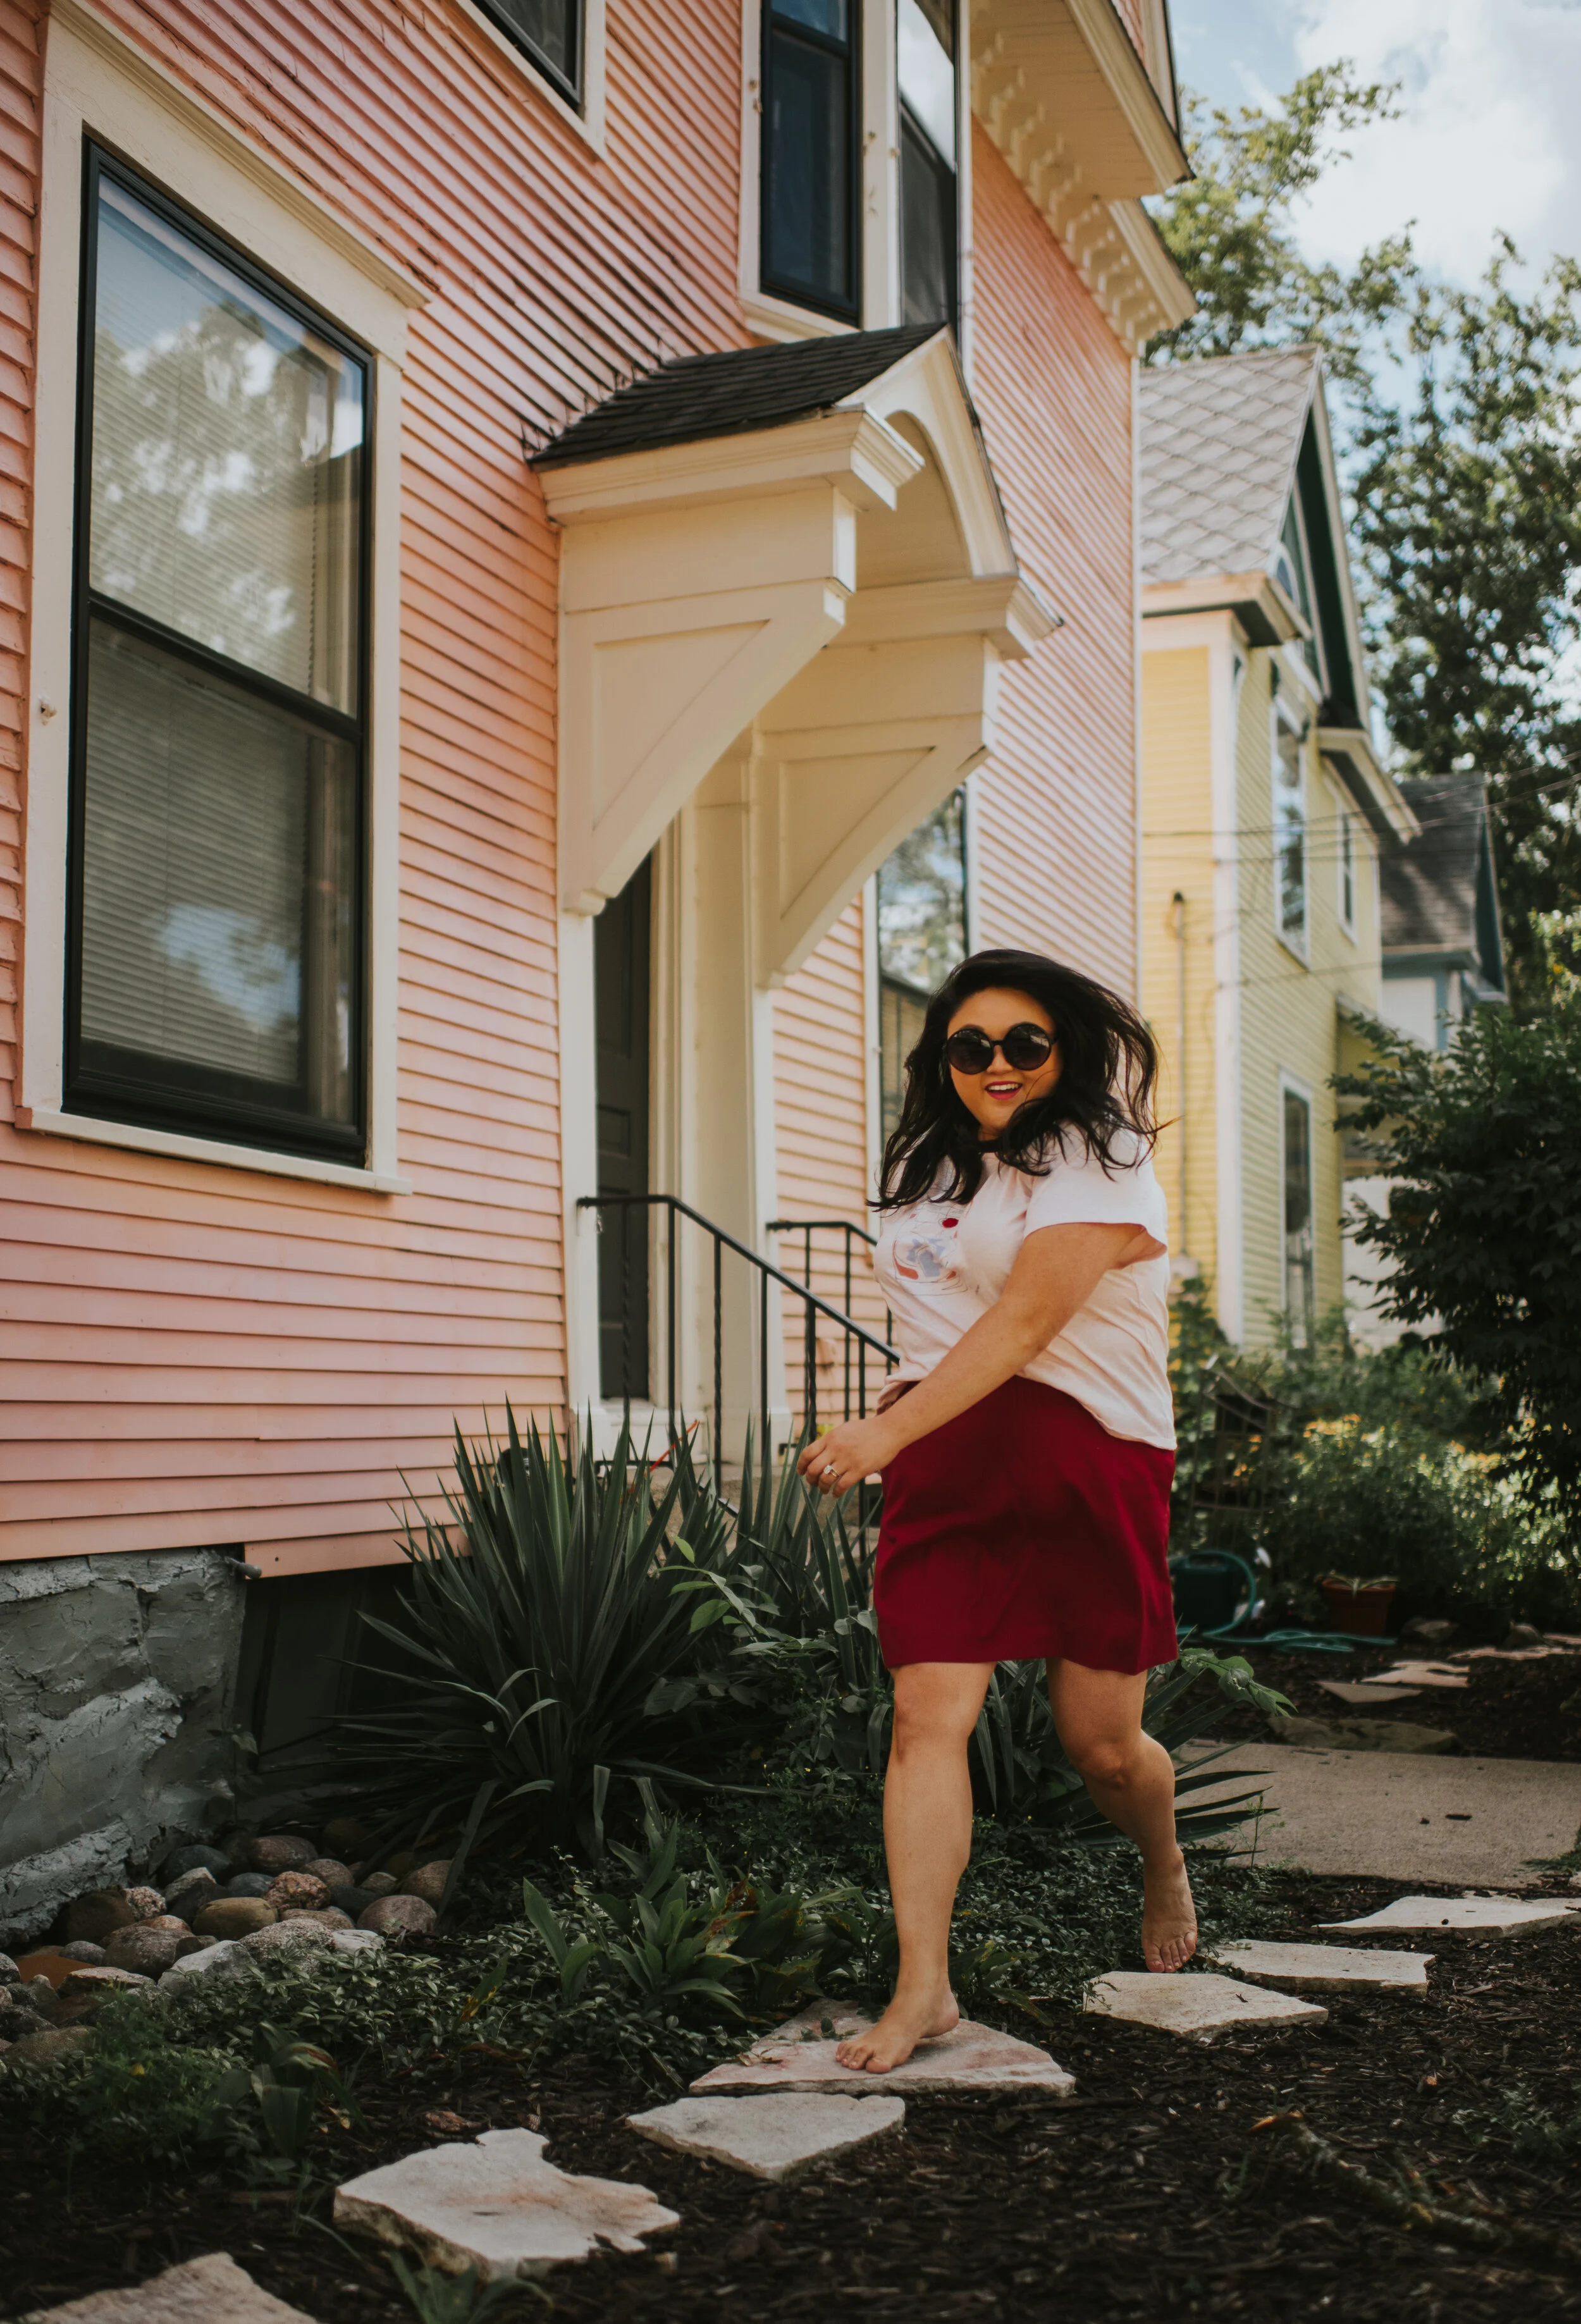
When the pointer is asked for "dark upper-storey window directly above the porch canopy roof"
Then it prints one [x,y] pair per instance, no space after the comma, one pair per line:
[813,141]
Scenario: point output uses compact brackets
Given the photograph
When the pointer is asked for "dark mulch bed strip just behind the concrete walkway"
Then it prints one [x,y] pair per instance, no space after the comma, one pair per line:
[1508,1712]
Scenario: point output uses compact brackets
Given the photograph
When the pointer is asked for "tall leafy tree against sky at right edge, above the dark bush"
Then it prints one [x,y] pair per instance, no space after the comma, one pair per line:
[1468,508]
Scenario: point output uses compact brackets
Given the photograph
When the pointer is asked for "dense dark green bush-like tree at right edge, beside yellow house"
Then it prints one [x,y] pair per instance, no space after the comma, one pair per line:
[1485,1221]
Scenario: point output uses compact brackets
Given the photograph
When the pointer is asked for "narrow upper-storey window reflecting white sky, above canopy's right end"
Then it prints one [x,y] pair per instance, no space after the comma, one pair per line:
[929,192]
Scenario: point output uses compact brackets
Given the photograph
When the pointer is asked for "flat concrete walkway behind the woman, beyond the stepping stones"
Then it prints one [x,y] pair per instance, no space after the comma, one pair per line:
[1405,1819]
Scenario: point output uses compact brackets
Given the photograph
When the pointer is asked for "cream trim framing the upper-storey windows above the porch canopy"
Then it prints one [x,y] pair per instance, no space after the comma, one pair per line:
[880,194]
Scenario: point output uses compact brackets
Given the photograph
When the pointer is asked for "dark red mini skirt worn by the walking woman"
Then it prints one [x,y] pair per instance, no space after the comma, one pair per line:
[1020,1530]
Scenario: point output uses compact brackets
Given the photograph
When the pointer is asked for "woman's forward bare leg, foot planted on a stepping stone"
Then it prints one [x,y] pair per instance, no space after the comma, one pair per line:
[927,1839]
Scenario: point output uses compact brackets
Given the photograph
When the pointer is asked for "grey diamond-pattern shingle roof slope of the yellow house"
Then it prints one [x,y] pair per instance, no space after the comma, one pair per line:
[1219,443]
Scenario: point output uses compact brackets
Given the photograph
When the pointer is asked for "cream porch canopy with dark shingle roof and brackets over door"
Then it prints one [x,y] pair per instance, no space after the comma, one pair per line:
[787,594]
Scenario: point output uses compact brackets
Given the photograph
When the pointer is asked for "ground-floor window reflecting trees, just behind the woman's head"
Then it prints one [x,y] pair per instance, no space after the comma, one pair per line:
[922,938]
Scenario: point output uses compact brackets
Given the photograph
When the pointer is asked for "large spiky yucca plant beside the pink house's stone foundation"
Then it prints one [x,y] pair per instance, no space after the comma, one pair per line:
[538,1637]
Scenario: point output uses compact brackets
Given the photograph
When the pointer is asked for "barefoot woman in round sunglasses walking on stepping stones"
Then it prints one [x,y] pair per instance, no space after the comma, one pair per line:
[1026,1440]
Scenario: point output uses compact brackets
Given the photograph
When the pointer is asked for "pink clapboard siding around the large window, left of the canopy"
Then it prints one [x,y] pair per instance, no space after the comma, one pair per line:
[206,1356]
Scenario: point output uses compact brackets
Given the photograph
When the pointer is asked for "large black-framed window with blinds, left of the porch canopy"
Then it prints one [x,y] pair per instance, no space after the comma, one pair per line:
[217,894]
